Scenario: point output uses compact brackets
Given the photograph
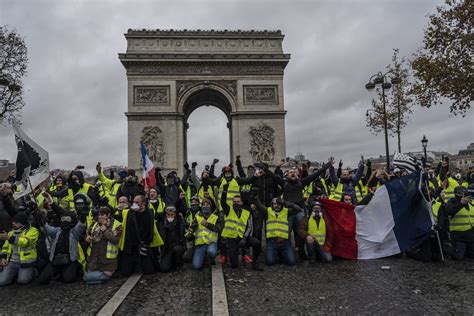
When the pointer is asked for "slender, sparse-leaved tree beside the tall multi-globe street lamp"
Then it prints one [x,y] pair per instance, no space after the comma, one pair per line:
[398,102]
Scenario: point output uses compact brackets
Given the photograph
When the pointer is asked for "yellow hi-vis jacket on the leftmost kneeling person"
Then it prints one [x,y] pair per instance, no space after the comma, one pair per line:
[26,247]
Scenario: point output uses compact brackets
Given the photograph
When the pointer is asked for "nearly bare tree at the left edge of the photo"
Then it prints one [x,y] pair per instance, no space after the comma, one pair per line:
[13,63]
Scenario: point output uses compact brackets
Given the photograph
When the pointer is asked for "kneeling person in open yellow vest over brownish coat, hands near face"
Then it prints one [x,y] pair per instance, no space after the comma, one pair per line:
[102,253]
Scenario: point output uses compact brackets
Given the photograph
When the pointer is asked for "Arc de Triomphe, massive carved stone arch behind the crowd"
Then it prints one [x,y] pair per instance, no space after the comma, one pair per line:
[171,73]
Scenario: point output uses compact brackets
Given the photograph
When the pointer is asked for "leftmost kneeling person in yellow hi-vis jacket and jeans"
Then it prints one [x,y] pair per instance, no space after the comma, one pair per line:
[18,255]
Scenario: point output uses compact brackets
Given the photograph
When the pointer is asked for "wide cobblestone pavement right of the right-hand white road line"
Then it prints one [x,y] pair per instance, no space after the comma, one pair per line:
[361,287]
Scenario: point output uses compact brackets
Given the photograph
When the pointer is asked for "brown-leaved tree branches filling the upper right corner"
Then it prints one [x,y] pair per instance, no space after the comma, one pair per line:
[443,68]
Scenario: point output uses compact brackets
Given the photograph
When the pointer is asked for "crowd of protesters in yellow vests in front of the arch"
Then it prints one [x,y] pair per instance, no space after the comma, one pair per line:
[116,226]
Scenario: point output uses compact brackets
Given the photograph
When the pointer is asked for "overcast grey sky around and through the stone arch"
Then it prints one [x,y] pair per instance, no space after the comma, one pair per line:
[75,90]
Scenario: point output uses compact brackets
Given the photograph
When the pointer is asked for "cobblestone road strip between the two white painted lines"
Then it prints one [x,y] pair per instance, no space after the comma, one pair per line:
[174,293]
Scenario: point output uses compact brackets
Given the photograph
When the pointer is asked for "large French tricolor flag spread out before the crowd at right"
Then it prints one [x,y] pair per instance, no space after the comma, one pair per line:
[397,218]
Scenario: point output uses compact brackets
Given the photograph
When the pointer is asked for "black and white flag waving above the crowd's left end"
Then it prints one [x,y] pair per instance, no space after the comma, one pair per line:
[32,163]
